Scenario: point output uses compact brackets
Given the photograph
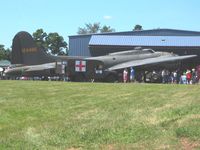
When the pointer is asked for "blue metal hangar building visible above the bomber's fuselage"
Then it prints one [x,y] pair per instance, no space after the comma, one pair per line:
[178,41]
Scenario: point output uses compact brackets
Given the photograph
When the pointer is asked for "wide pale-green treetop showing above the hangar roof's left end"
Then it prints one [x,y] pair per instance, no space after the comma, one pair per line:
[94,28]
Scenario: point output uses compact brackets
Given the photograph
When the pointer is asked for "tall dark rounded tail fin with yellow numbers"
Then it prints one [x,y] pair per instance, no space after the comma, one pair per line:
[25,51]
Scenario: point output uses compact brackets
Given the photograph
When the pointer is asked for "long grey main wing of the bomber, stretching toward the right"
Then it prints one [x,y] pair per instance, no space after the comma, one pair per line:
[149,61]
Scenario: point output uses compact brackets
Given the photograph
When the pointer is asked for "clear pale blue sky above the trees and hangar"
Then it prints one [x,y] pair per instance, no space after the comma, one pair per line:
[66,16]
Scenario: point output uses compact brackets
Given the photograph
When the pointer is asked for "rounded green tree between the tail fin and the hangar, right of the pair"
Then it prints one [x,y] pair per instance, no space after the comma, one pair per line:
[56,44]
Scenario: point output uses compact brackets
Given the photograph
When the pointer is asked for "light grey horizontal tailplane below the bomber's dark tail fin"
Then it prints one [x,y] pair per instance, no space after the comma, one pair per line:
[40,67]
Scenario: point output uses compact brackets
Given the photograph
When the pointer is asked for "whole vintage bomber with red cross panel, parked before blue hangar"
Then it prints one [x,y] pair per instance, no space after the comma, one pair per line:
[31,61]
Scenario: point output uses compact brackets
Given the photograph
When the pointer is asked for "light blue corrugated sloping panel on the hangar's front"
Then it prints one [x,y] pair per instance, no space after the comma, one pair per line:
[181,41]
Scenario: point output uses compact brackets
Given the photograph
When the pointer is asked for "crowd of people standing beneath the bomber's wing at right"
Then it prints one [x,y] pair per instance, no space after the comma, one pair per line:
[189,76]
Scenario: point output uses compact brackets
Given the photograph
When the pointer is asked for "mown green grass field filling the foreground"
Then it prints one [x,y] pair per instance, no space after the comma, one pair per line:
[61,115]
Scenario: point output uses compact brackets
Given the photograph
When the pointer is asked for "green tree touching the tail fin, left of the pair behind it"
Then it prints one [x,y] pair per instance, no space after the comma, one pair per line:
[40,39]
